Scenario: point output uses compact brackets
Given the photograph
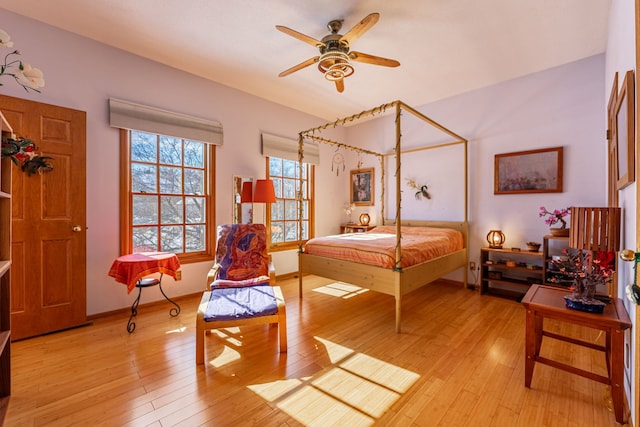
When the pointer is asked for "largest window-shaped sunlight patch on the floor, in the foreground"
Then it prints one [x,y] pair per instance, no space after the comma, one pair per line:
[356,389]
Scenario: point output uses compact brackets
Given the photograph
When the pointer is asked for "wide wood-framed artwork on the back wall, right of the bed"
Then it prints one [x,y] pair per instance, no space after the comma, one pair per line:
[533,171]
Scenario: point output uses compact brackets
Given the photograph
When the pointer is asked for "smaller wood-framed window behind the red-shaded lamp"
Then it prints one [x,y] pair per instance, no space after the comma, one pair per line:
[283,219]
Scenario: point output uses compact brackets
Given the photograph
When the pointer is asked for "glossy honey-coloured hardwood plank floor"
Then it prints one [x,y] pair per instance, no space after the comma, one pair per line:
[458,362]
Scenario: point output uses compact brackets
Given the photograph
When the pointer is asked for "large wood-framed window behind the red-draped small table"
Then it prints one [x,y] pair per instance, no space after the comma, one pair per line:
[167,204]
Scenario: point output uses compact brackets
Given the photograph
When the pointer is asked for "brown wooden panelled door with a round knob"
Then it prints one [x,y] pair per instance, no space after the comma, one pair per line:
[48,276]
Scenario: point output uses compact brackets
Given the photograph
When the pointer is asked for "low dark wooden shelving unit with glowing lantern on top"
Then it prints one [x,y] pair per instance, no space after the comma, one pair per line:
[509,272]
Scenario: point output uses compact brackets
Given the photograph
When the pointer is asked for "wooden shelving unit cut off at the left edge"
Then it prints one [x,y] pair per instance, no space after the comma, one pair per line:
[5,275]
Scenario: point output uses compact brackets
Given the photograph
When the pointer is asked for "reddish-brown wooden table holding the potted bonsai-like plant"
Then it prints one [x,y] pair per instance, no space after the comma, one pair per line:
[547,302]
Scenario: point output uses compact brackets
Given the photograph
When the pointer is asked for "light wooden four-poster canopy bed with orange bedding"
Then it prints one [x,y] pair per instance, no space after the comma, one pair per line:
[398,275]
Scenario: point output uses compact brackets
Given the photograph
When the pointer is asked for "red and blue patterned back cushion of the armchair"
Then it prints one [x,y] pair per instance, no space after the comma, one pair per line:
[241,251]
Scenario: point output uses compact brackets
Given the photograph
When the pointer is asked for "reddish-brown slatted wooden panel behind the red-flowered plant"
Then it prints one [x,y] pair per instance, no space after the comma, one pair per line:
[595,229]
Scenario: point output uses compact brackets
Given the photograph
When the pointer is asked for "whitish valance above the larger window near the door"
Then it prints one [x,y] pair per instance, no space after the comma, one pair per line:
[127,115]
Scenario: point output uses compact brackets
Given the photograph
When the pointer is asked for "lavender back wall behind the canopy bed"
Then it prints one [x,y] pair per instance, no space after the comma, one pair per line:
[563,106]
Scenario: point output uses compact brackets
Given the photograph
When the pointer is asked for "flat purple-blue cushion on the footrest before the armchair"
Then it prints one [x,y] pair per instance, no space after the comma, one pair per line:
[240,303]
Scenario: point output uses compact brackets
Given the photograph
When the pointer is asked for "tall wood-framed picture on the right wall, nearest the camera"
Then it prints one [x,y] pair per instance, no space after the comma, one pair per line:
[625,133]
